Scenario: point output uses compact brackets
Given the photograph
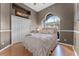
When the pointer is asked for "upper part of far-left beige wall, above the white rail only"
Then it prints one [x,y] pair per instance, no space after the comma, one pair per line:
[5,16]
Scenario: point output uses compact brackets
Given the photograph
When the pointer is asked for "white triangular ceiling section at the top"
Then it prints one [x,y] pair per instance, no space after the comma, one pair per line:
[38,6]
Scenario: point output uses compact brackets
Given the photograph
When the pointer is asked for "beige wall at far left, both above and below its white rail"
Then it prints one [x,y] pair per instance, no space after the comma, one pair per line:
[5,25]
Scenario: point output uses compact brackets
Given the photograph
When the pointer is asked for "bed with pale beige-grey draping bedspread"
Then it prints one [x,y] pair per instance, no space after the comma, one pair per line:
[40,44]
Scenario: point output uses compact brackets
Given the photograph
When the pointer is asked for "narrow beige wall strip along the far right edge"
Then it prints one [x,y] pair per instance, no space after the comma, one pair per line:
[76,28]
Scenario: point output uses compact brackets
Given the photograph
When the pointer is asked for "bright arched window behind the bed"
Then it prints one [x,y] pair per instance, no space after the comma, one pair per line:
[52,21]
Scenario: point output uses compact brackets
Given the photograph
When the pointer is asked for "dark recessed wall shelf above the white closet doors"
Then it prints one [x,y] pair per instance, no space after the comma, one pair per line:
[21,12]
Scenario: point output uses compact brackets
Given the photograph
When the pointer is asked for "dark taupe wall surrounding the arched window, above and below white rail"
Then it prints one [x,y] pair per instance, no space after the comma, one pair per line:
[66,13]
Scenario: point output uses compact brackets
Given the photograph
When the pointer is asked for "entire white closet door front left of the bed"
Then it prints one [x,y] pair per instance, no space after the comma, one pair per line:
[20,27]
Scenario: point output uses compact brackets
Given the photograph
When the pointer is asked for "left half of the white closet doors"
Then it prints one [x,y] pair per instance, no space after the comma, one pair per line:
[16,29]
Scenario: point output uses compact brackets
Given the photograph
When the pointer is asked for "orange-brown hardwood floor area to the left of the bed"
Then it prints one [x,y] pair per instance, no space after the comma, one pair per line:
[16,50]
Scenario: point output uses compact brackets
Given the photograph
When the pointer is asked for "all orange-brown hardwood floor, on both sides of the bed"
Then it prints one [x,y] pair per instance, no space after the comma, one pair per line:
[19,50]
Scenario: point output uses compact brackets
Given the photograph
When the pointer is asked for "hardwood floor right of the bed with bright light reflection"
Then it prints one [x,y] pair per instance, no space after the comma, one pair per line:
[63,50]
